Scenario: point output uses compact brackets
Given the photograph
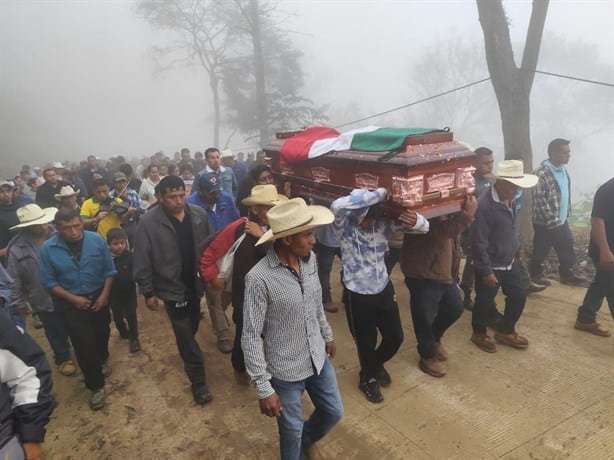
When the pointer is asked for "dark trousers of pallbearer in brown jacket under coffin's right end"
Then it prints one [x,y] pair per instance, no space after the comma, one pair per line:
[434,308]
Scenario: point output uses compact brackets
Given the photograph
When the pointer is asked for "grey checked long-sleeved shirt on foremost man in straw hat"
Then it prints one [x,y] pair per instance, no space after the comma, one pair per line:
[284,327]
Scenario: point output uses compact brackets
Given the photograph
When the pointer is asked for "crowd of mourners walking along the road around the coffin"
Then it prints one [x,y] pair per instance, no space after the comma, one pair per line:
[76,241]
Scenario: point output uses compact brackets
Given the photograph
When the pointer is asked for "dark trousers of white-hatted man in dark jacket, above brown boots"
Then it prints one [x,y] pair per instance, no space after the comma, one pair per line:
[514,283]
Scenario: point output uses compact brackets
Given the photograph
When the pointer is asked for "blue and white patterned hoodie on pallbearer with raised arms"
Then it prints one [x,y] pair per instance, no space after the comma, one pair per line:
[363,249]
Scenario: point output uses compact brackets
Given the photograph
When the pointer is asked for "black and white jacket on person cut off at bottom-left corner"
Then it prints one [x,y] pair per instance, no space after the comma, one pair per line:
[25,385]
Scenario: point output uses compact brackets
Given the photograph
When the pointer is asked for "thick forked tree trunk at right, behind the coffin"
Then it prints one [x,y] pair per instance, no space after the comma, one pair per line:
[513,85]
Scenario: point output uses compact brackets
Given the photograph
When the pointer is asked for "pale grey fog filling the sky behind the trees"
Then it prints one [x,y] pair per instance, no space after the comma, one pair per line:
[78,78]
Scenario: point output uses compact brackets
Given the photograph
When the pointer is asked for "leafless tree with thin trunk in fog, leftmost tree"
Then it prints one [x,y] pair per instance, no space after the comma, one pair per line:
[204,38]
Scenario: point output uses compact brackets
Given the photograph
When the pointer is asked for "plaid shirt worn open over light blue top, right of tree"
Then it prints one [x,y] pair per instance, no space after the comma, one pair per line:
[547,198]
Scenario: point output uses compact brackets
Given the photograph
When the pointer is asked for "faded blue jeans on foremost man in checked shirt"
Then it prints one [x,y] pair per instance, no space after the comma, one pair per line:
[296,434]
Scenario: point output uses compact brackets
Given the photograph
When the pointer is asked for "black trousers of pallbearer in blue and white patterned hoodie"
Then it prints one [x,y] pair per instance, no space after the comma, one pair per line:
[368,314]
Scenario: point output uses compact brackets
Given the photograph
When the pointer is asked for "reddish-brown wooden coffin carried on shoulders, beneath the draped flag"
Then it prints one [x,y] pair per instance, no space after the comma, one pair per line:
[431,174]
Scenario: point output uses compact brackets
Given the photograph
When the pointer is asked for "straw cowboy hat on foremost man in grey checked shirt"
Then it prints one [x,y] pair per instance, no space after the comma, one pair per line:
[294,216]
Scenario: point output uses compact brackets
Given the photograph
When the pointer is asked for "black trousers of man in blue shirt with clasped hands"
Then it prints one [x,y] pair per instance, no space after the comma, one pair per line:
[89,333]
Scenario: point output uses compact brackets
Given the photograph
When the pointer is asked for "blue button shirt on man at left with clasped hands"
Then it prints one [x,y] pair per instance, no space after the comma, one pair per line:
[58,267]
